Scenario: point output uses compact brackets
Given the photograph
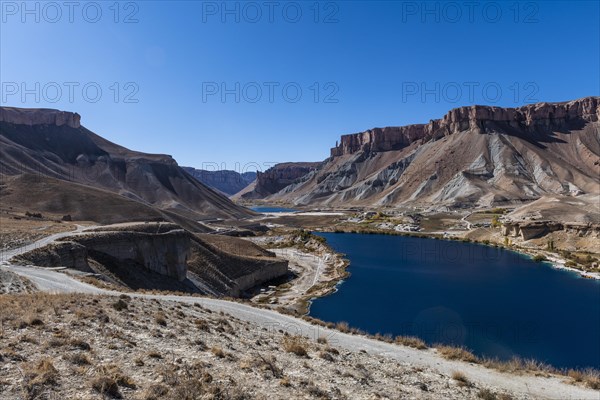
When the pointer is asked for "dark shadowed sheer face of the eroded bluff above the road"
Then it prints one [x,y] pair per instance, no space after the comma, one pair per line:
[164,253]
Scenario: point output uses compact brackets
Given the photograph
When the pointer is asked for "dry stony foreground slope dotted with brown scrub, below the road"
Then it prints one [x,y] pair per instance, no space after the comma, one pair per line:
[82,346]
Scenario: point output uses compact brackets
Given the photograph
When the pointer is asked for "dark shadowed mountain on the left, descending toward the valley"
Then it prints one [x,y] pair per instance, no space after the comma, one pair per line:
[52,147]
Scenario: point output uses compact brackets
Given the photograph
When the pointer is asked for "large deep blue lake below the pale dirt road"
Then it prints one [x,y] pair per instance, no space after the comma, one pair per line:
[495,302]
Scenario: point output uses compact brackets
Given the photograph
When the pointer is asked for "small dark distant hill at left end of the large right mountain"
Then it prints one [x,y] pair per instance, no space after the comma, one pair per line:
[277,178]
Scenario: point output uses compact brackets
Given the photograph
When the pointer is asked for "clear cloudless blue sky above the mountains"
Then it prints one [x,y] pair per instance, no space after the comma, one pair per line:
[372,63]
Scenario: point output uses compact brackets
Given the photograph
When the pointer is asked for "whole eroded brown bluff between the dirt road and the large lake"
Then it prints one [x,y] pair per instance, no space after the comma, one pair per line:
[163,256]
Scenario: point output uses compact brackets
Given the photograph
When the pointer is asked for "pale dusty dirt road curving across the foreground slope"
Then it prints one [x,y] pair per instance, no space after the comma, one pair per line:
[537,387]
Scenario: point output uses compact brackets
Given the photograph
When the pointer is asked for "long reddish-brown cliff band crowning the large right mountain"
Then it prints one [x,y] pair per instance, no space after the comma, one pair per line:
[479,119]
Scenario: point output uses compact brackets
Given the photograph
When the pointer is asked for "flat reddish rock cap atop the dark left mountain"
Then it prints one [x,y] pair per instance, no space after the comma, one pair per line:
[39,116]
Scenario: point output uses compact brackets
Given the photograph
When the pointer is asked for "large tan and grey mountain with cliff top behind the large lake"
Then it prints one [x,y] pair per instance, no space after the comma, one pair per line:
[473,156]
